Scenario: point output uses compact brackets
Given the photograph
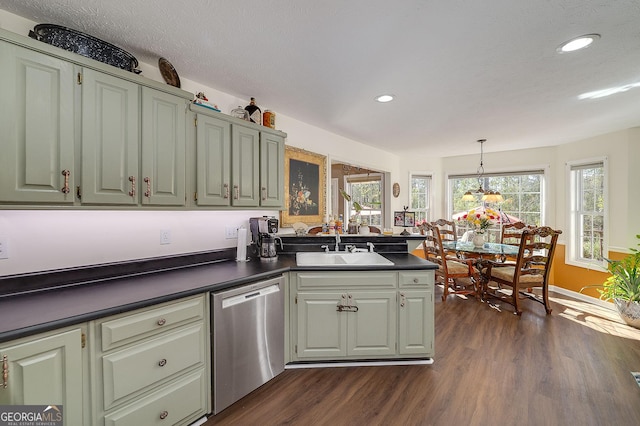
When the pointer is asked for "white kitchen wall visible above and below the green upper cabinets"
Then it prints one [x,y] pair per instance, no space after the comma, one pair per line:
[51,239]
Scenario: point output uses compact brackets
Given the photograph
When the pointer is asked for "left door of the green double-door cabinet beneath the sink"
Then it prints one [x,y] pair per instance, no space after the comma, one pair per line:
[322,330]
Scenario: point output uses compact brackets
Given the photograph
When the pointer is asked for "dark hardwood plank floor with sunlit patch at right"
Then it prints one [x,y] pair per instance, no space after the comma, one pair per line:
[491,368]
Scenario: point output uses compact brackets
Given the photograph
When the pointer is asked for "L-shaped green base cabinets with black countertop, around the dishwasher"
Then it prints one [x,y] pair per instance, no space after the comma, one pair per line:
[102,328]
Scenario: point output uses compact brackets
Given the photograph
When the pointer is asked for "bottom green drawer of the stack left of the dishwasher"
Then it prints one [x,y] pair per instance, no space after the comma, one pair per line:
[179,402]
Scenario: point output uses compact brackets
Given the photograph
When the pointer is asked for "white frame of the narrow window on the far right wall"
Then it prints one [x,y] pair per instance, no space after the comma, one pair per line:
[574,248]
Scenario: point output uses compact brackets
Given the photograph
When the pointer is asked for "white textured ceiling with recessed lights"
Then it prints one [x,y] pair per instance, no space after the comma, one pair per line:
[461,69]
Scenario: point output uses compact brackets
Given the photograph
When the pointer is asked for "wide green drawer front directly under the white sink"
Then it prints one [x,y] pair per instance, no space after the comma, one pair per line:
[345,280]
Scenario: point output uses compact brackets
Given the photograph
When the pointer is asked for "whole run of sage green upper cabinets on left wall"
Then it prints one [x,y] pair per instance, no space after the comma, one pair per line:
[79,133]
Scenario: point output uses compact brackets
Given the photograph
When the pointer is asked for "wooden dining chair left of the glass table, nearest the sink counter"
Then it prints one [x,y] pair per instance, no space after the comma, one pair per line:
[458,276]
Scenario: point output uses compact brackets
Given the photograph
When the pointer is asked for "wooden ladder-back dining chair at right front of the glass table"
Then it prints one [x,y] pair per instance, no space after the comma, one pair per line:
[530,271]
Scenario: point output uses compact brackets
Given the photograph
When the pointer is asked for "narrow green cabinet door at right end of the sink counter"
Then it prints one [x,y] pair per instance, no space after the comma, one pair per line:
[416,322]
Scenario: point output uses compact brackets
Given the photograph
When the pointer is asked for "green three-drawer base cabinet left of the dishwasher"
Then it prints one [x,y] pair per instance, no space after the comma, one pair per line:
[151,366]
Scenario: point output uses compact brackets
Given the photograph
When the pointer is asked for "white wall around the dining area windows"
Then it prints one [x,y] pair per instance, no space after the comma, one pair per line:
[622,150]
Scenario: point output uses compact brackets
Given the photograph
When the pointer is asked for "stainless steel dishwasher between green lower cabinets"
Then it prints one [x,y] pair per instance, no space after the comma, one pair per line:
[248,339]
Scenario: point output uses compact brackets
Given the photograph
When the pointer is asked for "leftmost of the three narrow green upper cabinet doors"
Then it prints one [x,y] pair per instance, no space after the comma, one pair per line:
[213,151]
